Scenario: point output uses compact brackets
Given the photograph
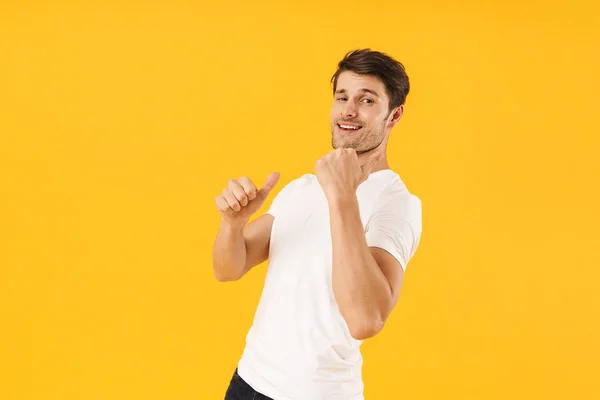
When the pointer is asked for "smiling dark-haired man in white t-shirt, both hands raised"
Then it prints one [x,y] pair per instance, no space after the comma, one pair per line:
[337,243]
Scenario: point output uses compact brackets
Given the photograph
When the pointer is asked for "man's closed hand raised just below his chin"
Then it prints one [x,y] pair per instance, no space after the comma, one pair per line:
[340,172]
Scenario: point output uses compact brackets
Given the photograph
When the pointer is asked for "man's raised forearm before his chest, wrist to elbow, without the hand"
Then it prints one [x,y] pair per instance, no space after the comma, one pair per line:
[360,288]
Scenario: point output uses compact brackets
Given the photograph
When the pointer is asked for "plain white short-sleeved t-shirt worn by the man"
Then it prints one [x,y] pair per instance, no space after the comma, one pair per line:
[299,346]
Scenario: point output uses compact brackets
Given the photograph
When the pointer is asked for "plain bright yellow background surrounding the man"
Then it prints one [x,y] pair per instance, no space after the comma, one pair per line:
[120,123]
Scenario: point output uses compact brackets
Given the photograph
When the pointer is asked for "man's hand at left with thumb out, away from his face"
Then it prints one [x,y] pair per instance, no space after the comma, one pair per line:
[240,199]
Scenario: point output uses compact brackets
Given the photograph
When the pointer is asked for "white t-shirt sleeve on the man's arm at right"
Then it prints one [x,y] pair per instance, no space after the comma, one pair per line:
[396,227]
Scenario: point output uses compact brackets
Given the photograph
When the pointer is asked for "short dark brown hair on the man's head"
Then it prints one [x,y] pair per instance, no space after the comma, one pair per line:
[380,65]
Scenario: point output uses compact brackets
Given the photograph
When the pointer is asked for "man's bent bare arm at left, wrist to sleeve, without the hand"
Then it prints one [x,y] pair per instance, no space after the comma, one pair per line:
[238,248]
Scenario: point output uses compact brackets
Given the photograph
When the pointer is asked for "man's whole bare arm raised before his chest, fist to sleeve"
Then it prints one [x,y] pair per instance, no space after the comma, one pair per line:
[366,281]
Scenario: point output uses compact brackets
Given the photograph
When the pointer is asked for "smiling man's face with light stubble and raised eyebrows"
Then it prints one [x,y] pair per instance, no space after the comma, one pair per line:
[359,114]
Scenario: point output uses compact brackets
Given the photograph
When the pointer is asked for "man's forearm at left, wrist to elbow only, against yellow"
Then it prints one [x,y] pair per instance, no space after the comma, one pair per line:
[229,251]
